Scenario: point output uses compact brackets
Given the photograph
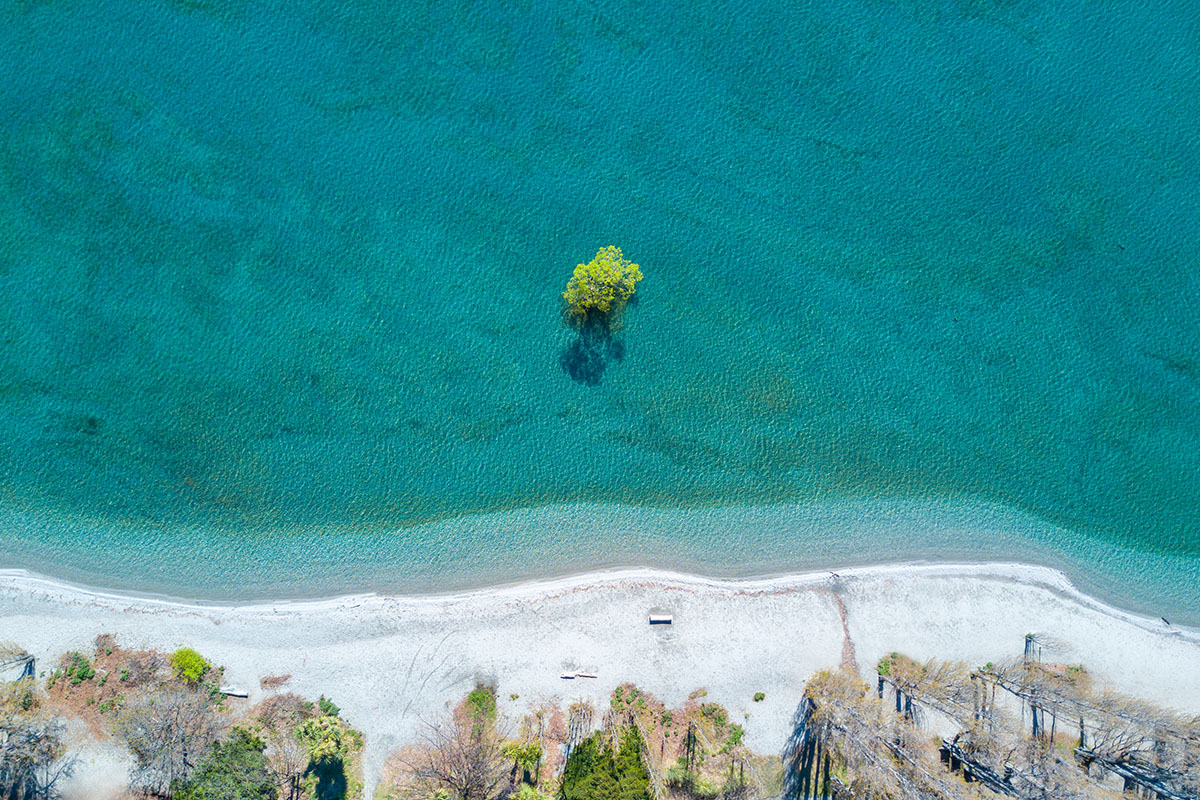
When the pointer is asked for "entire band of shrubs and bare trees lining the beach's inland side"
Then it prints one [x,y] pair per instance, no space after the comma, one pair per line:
[922,731]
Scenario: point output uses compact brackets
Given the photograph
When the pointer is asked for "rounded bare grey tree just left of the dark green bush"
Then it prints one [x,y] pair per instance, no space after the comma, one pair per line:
[169,731]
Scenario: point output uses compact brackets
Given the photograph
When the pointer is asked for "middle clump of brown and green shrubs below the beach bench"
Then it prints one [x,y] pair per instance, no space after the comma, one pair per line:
[635,749]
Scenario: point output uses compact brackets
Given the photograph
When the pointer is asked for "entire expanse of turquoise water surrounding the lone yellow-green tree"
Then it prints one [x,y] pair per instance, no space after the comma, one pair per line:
[281,288]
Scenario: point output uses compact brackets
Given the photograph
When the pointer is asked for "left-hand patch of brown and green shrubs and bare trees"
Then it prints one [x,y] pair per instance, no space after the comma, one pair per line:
[187,739]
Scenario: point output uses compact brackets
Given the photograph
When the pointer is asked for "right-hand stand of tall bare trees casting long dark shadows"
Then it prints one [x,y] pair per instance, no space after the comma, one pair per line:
[1023,730]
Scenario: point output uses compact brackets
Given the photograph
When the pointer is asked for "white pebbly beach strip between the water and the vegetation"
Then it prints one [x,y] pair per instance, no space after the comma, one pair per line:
[393,661]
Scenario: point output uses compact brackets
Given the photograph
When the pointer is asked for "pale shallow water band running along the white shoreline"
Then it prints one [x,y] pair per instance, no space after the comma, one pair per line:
[473,551]
